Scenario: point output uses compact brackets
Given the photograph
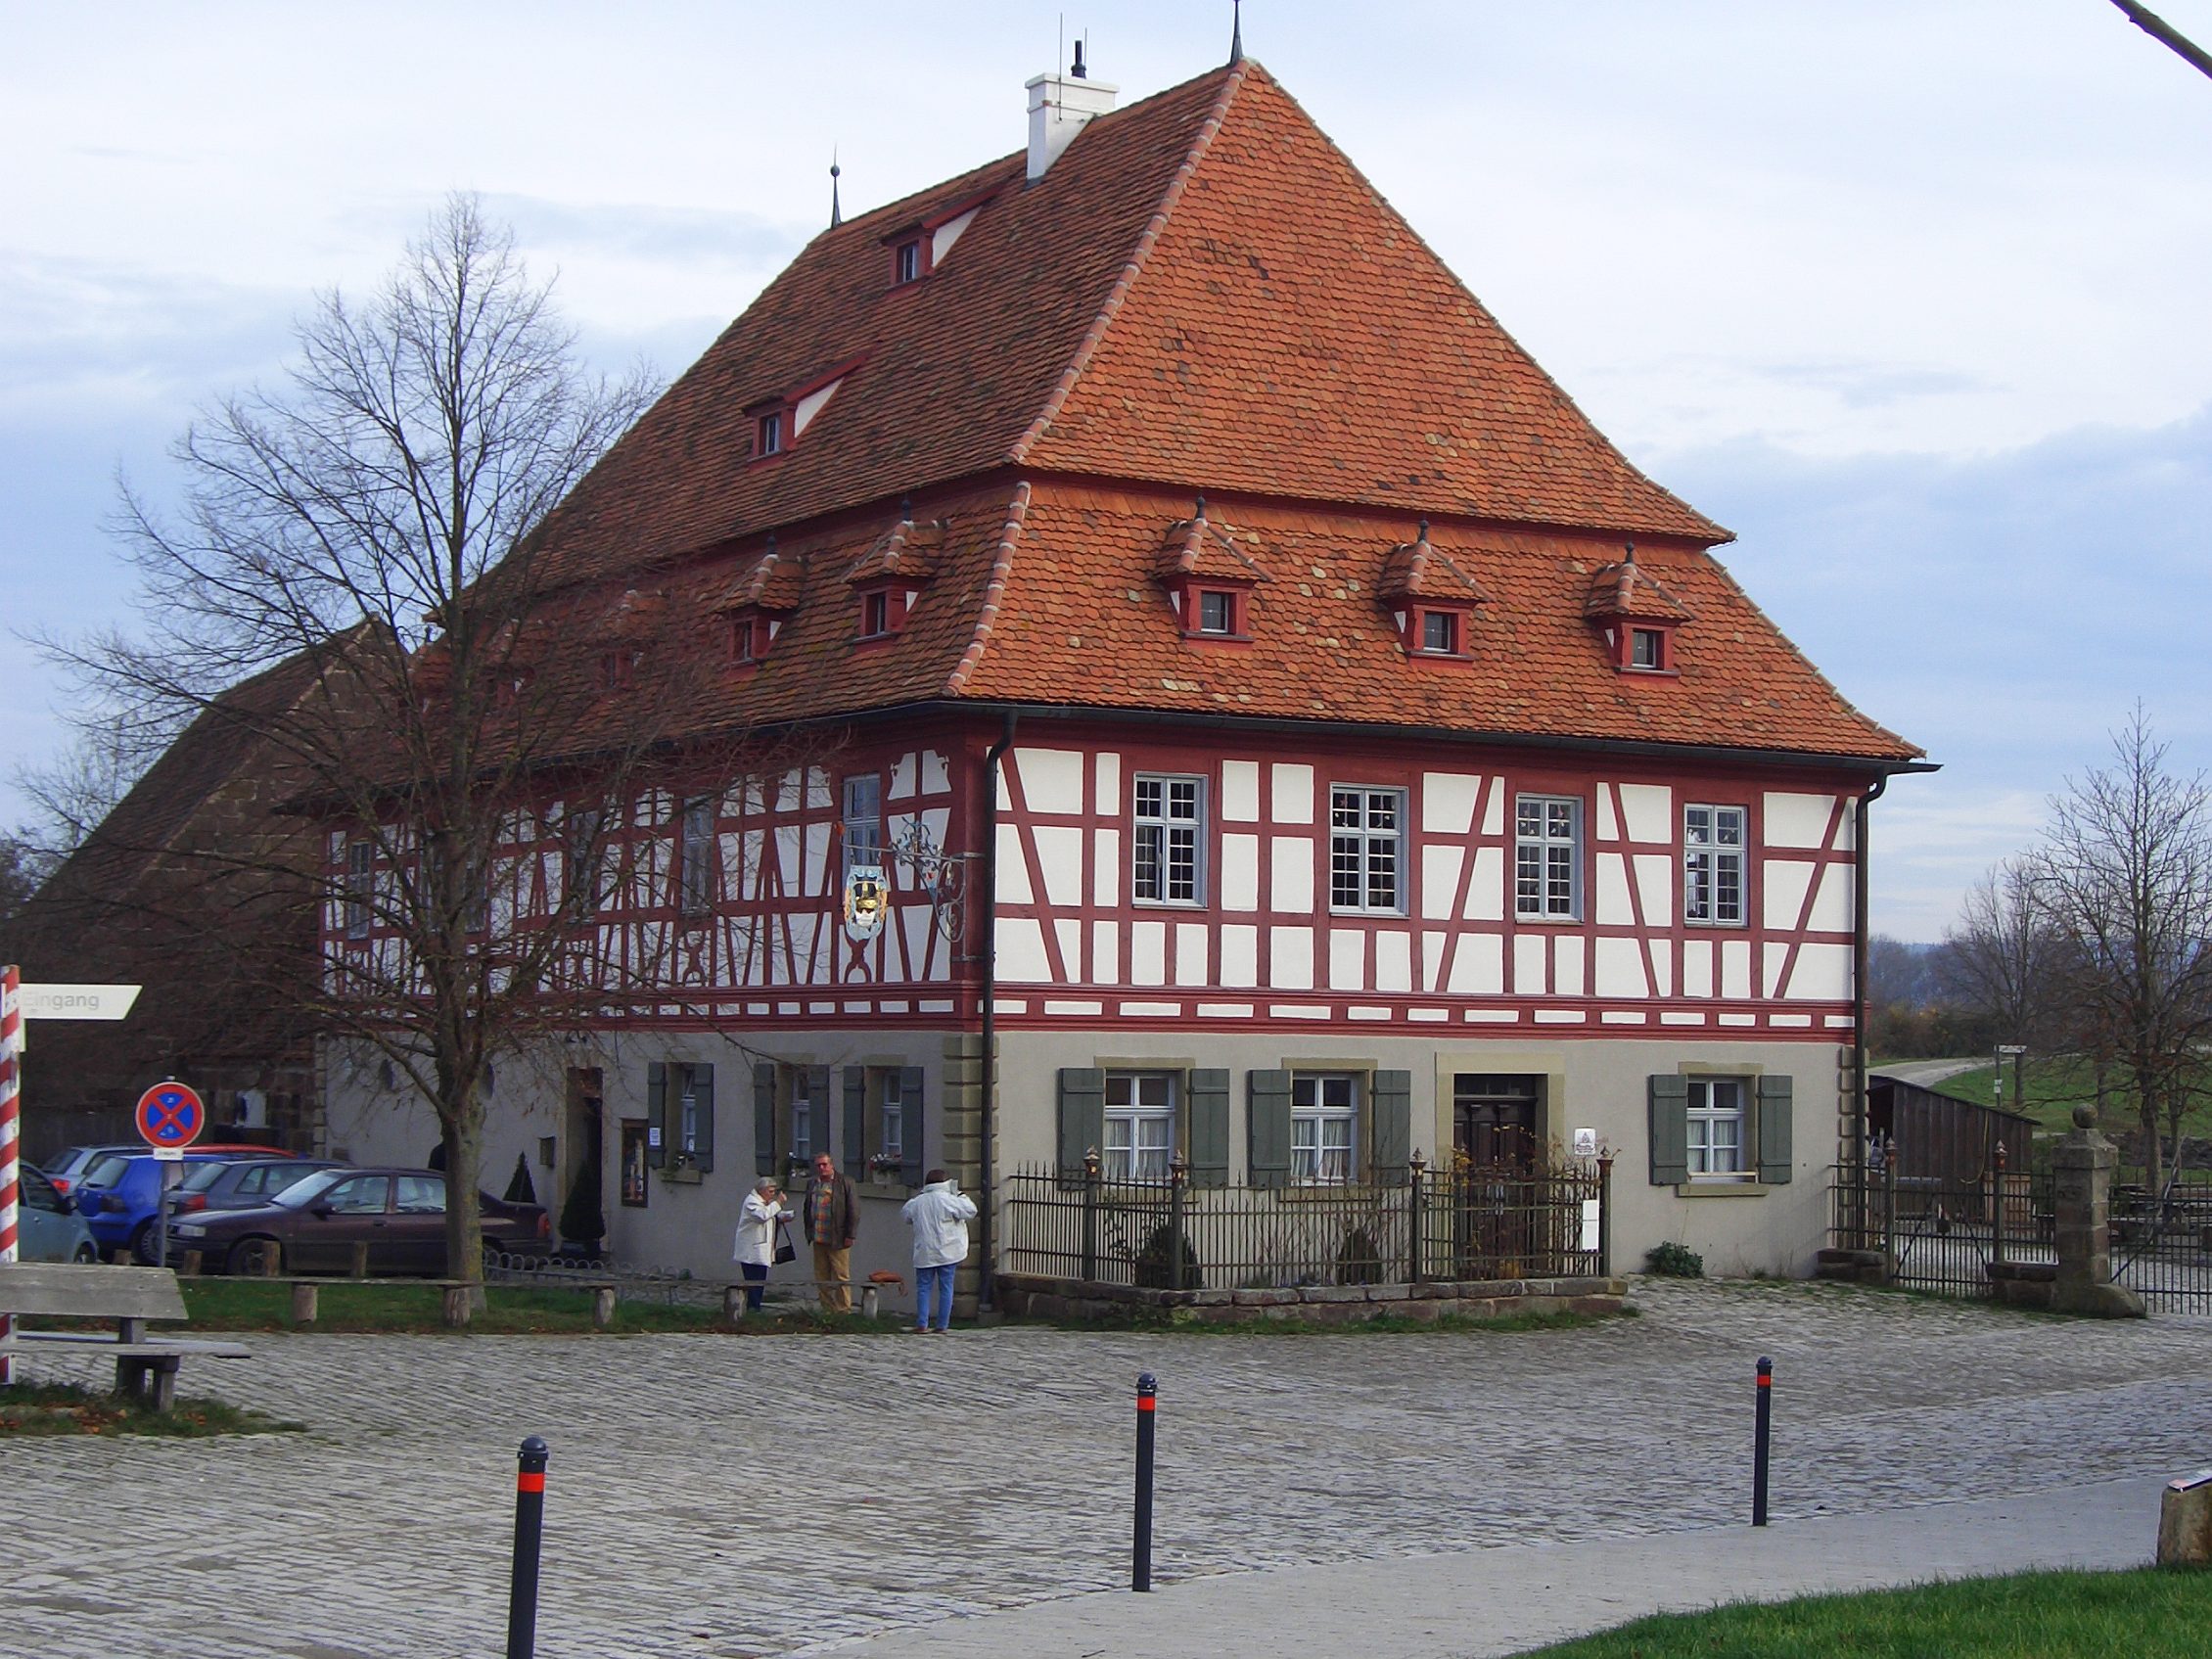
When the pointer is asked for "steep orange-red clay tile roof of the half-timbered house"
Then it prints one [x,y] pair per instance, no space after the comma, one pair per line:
[1200,295]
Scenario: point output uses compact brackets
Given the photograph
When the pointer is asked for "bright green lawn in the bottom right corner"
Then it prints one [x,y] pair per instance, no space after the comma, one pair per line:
[2151,1614]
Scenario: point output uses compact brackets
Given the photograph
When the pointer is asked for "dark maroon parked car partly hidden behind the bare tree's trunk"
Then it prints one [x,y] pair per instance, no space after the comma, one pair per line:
[315,1224]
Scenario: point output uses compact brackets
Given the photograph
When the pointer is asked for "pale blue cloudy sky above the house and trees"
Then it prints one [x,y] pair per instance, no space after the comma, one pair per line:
[1908,293]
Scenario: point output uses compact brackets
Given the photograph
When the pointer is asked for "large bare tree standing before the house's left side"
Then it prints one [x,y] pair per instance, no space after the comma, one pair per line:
[452,696]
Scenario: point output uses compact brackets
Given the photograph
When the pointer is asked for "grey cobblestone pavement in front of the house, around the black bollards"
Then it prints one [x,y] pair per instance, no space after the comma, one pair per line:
[749,1496]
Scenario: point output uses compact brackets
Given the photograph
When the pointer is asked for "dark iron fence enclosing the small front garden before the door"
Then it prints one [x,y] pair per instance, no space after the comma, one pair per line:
[1169,1233]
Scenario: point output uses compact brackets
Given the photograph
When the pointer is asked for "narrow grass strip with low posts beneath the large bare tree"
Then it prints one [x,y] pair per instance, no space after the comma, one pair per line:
[510,1311]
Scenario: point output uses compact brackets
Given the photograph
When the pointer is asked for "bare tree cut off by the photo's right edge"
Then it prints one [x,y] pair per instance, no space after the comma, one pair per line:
[2125,877]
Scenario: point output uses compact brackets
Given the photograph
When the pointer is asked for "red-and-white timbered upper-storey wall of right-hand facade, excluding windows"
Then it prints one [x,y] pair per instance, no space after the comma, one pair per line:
[1262,943]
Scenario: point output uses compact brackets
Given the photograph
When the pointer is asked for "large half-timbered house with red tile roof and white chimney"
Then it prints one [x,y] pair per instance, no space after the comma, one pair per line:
[1293,738]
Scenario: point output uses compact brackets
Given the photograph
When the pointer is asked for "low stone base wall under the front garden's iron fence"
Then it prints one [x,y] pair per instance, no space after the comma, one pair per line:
[1039,1297]
